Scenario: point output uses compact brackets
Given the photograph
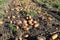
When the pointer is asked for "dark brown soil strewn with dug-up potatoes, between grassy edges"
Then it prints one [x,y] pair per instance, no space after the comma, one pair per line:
[17,15]
